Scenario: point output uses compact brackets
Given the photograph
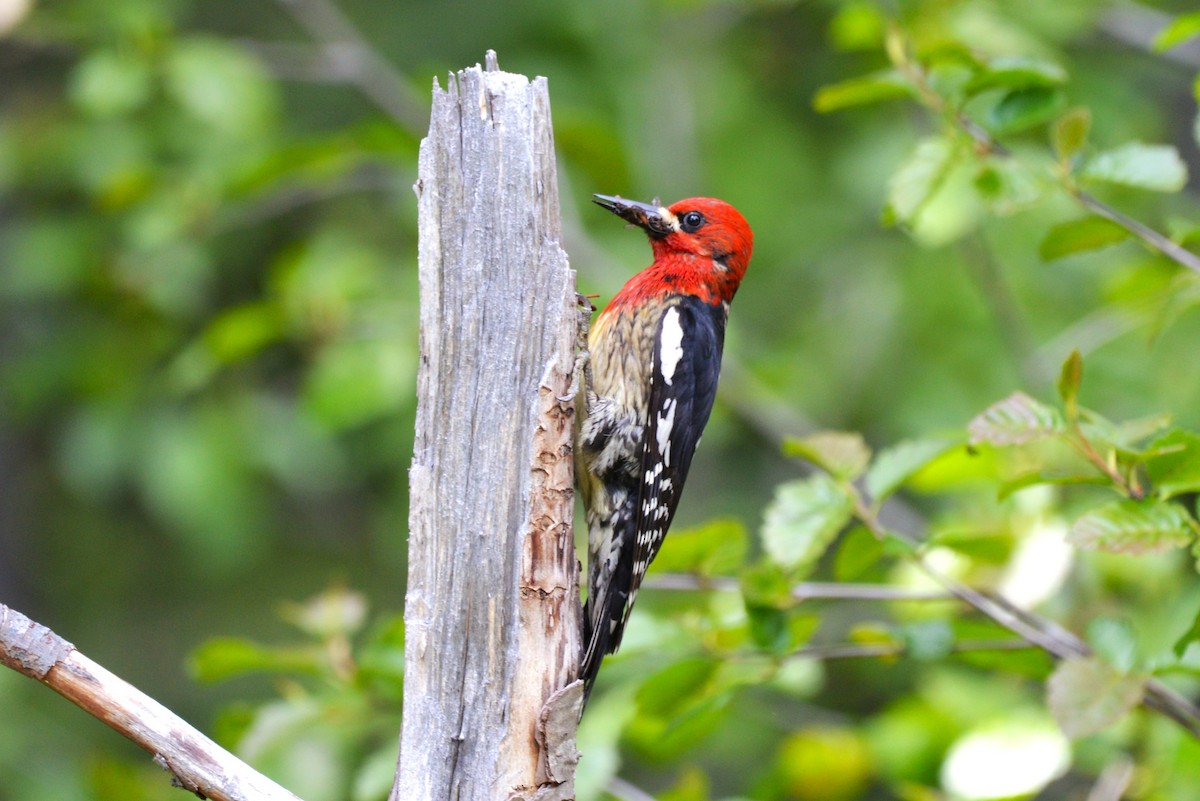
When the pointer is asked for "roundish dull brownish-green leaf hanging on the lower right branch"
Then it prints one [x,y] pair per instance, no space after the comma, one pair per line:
[1087,696]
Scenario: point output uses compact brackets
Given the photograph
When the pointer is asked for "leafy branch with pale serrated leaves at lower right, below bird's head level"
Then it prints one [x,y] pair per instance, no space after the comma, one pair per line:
[853,486]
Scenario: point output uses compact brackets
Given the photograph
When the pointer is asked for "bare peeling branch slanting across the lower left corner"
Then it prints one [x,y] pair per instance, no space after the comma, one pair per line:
[196,763]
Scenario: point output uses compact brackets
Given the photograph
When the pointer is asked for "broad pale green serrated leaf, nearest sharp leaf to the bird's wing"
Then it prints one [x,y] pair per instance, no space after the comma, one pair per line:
[803,521]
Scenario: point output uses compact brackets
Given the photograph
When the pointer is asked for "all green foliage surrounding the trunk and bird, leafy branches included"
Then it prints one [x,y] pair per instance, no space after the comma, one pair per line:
[208,308]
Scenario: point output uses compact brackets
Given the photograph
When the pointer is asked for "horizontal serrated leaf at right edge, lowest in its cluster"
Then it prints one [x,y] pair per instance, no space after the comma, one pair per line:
[1130,527]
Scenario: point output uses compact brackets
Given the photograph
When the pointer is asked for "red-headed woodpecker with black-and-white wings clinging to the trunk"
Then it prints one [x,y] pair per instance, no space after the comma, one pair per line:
[655,360]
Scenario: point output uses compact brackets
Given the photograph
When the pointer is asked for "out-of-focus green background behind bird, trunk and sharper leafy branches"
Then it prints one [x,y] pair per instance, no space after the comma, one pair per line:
[208,304]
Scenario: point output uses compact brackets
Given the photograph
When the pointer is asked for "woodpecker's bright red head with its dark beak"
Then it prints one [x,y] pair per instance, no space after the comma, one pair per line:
[701,245]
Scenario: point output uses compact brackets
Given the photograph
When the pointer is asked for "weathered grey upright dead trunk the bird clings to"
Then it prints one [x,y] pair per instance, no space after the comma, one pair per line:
[493,618]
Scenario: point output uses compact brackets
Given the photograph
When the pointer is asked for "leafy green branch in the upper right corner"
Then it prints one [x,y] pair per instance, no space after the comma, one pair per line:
[1012,95]
